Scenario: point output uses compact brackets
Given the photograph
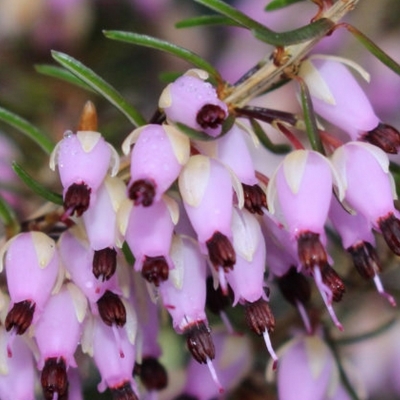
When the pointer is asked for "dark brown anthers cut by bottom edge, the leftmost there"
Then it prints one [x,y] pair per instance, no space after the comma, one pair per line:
[54,379]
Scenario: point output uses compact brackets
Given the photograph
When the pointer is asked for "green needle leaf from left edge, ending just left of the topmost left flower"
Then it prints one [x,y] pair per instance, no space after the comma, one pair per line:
[27,129]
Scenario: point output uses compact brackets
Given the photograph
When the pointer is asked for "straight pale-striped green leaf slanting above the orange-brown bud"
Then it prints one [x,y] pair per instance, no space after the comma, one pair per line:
[100,86]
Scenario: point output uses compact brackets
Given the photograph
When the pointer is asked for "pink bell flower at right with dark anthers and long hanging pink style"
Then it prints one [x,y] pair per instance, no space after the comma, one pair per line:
[299,193]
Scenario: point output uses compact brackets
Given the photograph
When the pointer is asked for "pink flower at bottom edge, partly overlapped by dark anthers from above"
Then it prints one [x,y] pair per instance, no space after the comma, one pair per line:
[115,367]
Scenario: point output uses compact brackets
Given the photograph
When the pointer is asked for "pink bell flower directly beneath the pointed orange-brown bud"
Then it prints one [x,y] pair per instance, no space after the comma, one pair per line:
[76,156]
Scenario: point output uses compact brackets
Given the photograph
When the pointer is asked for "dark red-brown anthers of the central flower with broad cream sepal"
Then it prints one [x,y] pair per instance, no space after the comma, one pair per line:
[221,251]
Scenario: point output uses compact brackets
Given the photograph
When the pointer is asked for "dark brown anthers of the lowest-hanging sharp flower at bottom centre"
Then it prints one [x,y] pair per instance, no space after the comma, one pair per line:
[199,342]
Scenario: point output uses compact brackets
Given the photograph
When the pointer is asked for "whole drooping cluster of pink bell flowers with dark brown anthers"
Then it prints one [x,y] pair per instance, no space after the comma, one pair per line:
[184,223]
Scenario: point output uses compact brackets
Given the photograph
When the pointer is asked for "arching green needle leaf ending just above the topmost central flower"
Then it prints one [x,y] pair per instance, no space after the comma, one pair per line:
[158,44]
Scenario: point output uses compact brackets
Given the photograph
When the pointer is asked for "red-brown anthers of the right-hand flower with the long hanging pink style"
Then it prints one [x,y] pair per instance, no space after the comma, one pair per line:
[310,250]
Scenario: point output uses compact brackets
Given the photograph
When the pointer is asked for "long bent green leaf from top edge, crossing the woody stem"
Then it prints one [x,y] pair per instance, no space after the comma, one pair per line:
[316,29]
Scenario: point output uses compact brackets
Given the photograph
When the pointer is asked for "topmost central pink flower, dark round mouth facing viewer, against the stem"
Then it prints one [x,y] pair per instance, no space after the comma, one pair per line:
[194,102]
